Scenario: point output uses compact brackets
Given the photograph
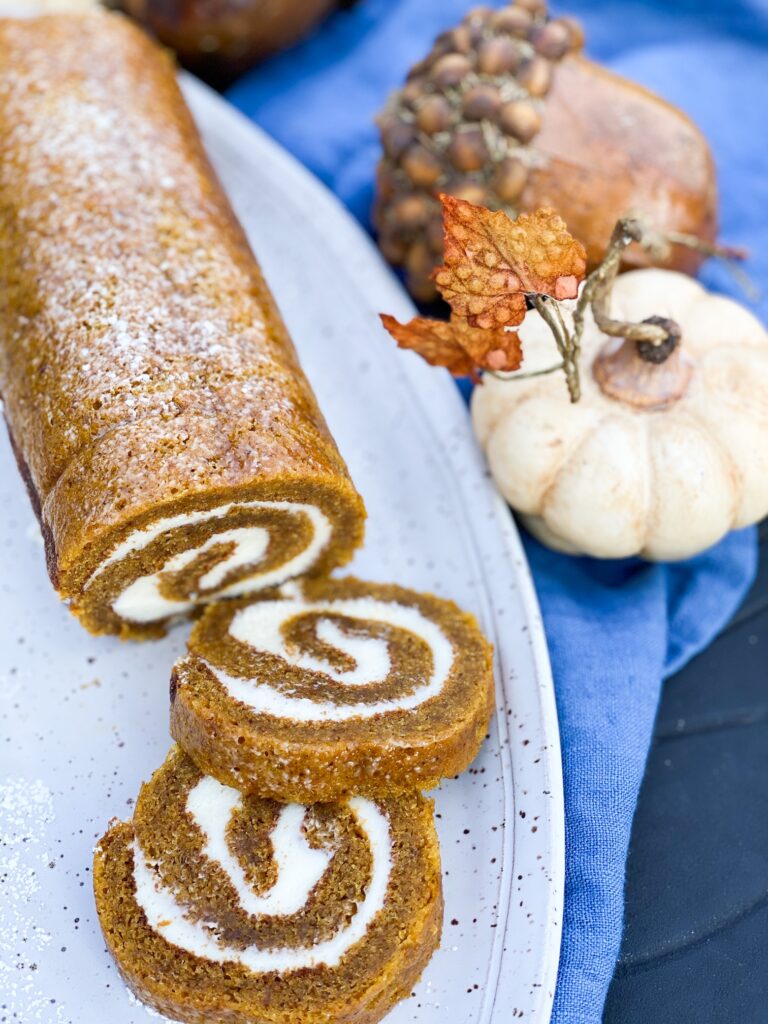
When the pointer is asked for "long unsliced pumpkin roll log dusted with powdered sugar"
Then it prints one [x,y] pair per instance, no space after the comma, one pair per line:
[173,447]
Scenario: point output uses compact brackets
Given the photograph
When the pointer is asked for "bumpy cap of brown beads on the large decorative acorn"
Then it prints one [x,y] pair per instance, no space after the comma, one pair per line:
[465,123]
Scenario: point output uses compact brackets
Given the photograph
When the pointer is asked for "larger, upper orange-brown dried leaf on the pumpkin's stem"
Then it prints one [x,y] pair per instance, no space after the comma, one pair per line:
[492,262]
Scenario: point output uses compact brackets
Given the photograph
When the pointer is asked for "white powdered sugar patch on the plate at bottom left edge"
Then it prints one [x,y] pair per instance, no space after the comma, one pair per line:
[26,810]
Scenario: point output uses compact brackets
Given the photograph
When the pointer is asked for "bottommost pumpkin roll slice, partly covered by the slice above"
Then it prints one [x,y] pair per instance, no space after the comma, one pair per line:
[221,908]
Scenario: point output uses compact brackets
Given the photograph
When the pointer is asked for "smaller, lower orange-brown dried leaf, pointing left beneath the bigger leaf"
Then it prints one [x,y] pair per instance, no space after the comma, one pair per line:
[457,346]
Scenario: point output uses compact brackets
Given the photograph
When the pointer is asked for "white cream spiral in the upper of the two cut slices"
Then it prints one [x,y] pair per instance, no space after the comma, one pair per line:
[261,626]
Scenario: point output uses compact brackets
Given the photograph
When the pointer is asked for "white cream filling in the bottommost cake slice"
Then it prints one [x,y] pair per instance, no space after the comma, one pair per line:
[301,868]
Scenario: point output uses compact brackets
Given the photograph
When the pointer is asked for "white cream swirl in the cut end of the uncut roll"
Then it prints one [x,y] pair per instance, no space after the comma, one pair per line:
[142,602]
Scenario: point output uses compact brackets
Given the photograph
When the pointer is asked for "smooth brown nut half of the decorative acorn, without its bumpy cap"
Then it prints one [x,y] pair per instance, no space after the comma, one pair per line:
[613,147]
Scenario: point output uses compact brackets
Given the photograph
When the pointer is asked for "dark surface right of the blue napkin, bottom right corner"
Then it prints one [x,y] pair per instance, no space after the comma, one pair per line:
[696,945]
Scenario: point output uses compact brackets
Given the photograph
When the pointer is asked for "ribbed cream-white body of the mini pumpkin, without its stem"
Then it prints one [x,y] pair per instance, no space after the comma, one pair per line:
[609,479]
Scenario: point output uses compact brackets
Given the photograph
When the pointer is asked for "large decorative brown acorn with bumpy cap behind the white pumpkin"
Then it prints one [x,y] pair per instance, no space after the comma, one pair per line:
[505,111]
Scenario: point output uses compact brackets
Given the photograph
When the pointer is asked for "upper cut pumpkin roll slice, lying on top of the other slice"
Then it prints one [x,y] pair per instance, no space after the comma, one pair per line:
[333,687]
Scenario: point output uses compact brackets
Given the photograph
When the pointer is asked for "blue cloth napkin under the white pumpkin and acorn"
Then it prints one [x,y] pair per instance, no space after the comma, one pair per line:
[615,630]
